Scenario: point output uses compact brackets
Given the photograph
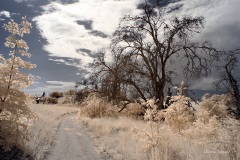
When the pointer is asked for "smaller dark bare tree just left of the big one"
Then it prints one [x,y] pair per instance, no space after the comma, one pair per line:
[109,75]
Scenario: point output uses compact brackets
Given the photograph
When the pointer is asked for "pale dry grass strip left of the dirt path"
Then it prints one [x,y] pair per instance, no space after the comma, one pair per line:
[45,126]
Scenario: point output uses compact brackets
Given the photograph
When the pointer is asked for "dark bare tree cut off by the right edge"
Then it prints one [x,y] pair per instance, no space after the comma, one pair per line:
[228,79]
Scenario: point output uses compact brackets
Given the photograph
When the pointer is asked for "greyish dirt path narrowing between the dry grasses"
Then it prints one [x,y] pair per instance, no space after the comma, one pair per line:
[72,143]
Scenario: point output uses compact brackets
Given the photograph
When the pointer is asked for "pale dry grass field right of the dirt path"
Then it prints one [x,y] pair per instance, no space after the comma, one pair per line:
[129,139]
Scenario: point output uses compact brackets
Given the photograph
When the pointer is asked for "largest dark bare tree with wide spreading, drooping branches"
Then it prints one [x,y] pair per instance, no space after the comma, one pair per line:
[151,44]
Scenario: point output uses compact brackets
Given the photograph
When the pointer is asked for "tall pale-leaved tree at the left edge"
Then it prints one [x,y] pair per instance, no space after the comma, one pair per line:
[14,113]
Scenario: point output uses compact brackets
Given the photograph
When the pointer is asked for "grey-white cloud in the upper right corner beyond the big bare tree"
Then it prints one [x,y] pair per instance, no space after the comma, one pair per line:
[222,25]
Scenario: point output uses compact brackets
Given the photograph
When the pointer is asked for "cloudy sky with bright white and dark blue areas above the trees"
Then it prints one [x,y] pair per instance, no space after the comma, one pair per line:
[66,34]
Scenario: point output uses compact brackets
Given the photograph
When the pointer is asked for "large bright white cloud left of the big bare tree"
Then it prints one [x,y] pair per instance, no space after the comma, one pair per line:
[59,26]
